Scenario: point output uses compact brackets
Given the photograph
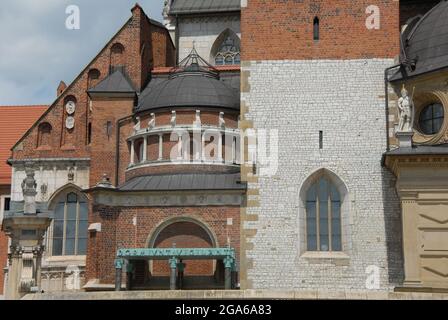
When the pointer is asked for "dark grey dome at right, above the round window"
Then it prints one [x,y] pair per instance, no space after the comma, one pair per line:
[425,43]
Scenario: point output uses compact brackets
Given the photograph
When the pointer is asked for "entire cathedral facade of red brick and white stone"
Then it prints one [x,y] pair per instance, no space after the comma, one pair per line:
[289,145]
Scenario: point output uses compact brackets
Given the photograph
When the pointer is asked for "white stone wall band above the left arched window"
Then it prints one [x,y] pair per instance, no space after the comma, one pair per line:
[53,174]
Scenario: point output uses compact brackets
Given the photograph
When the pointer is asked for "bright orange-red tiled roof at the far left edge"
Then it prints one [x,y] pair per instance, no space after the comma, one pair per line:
[14,122]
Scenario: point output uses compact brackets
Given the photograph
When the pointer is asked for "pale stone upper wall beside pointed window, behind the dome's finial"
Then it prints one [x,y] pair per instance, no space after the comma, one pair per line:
[204,32]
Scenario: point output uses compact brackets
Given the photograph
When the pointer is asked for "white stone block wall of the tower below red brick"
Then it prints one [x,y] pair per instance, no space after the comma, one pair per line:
[344,99]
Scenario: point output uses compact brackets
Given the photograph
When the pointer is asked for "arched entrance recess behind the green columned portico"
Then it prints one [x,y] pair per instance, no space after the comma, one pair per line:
[192,274]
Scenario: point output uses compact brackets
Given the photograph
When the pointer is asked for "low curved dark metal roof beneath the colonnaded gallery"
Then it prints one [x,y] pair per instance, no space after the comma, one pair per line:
[190,181]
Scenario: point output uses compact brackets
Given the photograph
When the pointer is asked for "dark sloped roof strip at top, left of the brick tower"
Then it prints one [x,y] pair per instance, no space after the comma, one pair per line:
[204,6]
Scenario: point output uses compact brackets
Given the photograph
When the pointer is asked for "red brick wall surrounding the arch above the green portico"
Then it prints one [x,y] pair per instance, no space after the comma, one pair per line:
[118,232]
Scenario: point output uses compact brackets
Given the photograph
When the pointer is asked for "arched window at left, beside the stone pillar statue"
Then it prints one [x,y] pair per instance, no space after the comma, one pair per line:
[70,226]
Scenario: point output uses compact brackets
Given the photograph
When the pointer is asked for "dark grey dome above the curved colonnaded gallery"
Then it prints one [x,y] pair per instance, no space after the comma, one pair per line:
[195,88]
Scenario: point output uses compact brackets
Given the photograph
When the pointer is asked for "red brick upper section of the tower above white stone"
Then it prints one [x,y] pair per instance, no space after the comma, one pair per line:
[283,29]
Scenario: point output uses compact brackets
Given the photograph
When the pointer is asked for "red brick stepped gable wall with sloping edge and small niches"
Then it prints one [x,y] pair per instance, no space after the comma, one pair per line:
[135,35]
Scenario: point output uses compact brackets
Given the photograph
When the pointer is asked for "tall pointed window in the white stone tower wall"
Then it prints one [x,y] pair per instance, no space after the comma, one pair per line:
[323,217]
